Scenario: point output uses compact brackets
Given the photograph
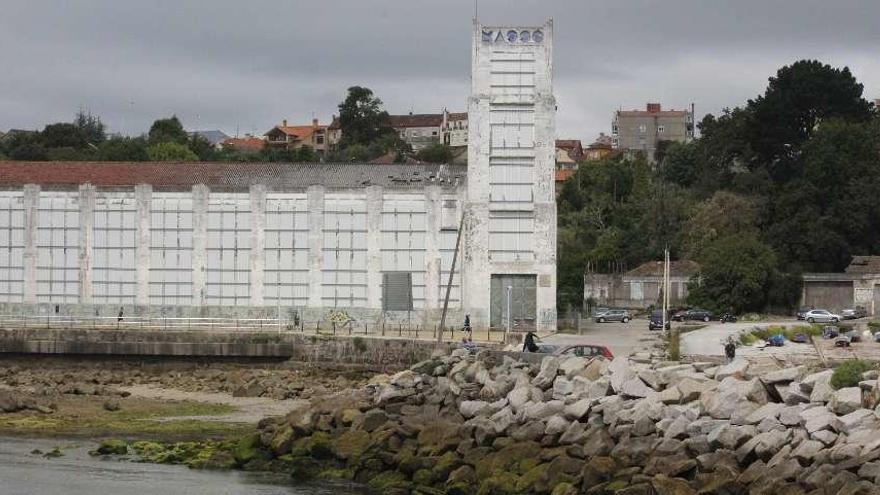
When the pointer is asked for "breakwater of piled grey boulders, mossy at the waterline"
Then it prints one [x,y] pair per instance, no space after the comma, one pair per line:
[465,424]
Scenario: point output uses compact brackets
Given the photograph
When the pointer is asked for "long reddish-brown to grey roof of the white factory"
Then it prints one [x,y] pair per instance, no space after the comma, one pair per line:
[227,176]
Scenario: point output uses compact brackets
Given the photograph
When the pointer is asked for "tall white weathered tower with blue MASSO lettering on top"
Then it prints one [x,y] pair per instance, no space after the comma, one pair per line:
[509,263]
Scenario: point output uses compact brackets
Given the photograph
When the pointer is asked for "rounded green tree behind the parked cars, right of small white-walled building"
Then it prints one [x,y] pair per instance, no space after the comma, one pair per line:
[736,273]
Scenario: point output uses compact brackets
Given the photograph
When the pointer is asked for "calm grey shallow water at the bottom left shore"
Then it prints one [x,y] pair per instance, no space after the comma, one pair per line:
[78,473]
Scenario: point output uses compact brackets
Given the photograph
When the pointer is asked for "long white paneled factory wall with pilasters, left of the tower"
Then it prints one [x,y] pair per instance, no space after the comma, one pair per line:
[328,251]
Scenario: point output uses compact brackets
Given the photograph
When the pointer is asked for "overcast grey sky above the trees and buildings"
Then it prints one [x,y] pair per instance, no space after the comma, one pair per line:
[242,66]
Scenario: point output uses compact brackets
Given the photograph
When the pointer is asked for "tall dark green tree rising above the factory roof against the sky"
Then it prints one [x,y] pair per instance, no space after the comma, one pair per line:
[361,118]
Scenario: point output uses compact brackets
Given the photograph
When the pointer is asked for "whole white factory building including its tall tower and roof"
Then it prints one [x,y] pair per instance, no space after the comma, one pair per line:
[243,239]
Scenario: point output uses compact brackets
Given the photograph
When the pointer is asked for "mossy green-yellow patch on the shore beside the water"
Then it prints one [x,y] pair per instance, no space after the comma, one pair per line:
[138,418]
